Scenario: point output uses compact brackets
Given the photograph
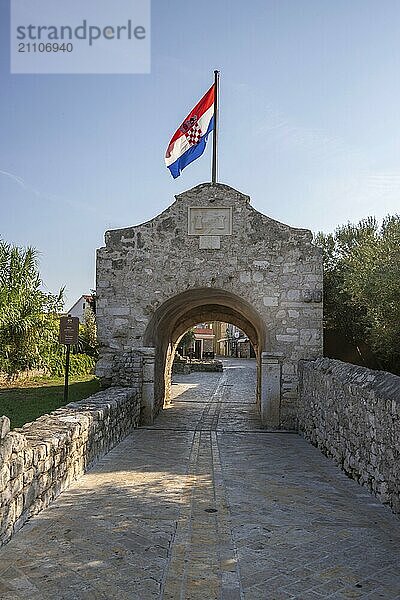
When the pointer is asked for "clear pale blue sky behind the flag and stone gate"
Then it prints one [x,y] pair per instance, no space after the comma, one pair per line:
[310,125]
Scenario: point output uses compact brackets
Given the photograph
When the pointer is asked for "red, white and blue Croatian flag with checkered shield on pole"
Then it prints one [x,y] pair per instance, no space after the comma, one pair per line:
[189,141]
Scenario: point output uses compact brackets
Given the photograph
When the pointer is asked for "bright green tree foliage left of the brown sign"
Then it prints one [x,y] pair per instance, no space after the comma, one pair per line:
[28,316]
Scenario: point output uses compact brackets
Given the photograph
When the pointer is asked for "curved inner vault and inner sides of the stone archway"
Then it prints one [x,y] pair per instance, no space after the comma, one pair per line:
[173,318]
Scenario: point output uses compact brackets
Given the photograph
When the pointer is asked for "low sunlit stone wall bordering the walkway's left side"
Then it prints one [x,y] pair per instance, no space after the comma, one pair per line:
[41,459]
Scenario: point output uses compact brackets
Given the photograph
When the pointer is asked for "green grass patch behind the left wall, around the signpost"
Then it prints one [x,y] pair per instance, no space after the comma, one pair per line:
[25,402]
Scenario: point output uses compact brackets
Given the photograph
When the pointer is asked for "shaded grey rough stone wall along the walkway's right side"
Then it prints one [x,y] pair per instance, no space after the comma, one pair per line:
[353,415]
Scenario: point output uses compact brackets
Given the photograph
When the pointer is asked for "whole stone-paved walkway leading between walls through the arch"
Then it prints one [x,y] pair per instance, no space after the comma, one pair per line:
[205,505]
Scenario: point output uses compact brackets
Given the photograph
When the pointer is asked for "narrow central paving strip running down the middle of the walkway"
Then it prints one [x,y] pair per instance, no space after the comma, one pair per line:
[203,563]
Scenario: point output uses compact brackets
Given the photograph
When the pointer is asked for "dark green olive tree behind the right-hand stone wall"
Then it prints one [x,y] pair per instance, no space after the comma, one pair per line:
[362,285]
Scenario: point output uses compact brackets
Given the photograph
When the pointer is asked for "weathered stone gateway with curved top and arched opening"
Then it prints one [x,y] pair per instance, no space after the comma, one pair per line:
[210,256]
